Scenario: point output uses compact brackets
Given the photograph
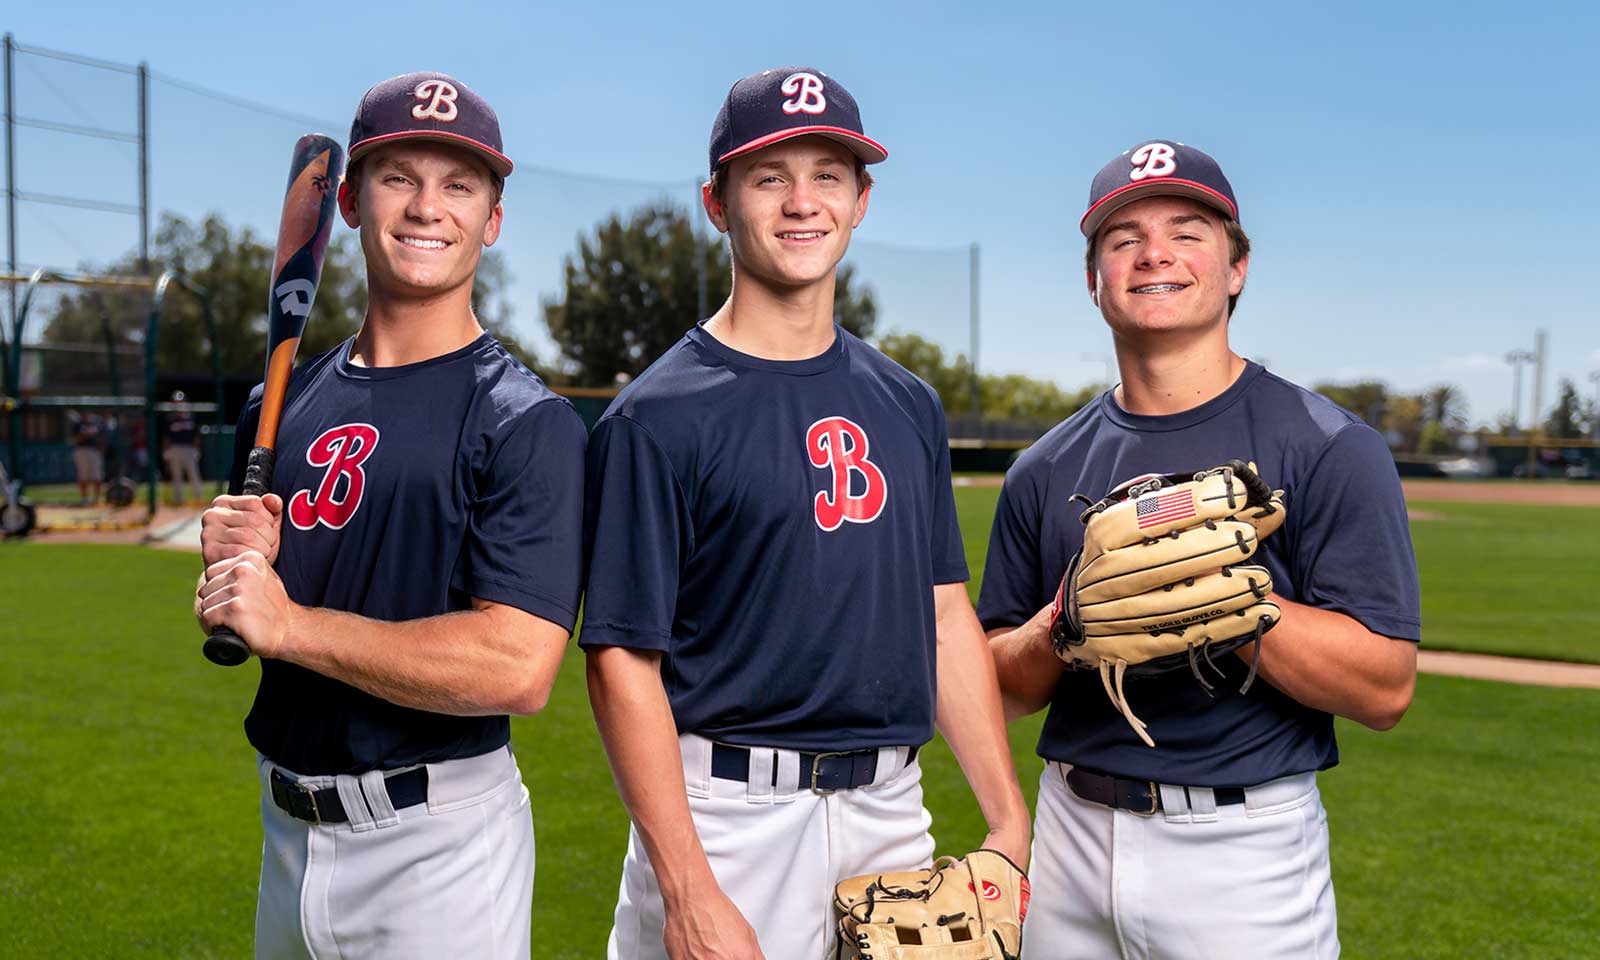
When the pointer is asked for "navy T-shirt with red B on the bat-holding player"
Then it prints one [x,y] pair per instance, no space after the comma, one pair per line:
[409,490]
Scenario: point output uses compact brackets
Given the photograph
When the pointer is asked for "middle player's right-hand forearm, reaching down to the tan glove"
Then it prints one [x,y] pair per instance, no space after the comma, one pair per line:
[972,719]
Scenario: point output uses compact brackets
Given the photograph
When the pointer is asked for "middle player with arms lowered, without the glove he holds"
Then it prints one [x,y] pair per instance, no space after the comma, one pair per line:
[777,615]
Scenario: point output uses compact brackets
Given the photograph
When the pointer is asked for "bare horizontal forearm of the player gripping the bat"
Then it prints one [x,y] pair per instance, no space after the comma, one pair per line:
[468,663]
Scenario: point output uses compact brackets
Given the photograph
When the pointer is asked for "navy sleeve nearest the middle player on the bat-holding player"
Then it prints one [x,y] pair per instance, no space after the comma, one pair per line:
[524,543]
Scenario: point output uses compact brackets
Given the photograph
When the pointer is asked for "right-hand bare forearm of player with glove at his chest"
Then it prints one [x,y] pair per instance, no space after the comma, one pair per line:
[1332,663]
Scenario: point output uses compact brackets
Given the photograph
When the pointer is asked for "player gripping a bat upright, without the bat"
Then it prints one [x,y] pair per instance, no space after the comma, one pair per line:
[414,575]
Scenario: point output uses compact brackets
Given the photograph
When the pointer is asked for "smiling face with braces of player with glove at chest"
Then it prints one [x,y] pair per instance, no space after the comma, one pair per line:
[1162,265]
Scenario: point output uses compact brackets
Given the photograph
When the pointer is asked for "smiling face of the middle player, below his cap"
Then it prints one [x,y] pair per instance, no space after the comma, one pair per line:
[790,210]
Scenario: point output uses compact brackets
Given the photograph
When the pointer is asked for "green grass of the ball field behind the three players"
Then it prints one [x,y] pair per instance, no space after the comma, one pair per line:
[130,818]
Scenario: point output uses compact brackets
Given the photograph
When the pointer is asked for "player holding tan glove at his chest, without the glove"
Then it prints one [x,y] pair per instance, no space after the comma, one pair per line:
[1214,844]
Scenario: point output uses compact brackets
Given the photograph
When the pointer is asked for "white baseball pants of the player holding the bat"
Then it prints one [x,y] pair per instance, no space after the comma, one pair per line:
[450,878]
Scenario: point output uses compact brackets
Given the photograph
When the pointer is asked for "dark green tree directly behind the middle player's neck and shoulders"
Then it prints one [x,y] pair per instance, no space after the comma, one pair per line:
[633,289]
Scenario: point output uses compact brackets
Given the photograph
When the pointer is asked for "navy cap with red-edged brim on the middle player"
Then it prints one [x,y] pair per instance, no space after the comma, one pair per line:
[790,102]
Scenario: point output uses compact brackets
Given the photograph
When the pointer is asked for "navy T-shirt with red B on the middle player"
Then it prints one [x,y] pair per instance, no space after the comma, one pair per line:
[775,530]
